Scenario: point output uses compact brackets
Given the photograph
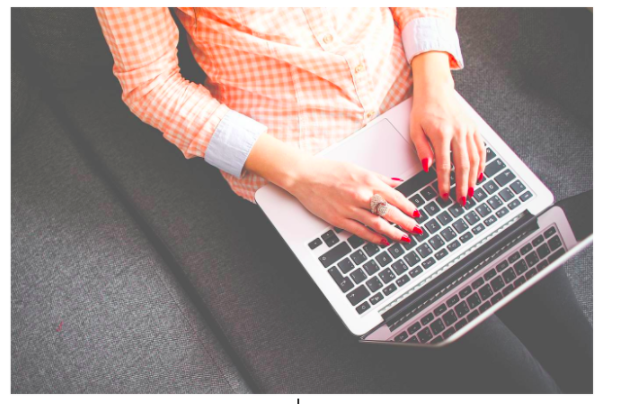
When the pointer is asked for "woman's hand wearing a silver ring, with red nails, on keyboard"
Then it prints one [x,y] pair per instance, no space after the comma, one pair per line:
[340,194]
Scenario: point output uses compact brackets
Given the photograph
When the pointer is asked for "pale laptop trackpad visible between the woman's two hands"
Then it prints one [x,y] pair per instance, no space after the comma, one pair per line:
[379,148]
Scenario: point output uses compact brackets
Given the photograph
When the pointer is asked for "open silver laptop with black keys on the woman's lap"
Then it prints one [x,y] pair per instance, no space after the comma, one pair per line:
[469,262]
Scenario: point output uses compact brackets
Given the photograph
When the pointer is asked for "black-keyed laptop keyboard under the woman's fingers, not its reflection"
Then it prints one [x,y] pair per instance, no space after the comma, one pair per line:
[367,273]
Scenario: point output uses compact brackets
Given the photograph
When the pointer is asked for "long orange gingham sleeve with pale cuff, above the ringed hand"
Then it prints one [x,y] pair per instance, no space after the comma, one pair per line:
[143,42]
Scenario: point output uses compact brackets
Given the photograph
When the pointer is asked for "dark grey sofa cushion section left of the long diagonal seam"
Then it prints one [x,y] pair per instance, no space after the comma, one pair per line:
[79,260]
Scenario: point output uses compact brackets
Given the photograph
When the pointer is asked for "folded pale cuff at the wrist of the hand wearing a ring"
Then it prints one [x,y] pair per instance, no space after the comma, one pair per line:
[232,142]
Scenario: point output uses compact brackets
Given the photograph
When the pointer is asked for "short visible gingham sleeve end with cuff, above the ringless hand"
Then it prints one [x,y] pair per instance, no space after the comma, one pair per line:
[429,29]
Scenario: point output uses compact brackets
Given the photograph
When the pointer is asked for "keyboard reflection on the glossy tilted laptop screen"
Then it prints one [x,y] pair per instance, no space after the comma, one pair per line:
[459,307]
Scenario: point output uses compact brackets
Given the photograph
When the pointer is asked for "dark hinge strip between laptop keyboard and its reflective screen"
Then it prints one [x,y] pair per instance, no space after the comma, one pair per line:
[416,302]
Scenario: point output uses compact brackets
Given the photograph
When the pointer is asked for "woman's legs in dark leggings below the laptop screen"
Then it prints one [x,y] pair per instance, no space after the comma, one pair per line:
[539,343]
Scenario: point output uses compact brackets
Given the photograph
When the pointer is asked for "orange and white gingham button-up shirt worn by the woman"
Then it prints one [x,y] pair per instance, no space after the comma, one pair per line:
[308,76]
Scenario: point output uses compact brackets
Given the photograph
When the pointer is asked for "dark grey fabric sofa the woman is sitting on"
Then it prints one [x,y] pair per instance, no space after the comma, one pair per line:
[134,270]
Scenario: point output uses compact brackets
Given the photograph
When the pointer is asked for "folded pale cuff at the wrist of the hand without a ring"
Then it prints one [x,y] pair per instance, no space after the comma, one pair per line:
[431,34]
